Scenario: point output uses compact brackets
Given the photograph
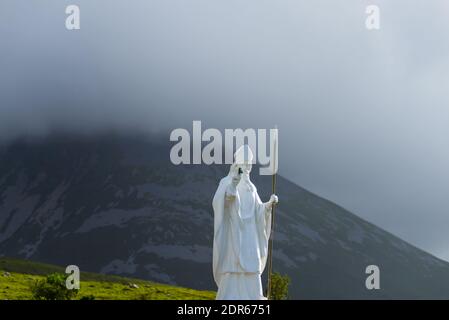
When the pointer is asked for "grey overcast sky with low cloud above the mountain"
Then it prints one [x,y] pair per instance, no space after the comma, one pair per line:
[363,115]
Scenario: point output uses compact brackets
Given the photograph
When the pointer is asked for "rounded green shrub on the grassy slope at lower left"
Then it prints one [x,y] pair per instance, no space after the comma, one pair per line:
[53,287]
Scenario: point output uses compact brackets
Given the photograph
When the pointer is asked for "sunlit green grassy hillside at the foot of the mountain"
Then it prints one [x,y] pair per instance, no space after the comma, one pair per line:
[17,276]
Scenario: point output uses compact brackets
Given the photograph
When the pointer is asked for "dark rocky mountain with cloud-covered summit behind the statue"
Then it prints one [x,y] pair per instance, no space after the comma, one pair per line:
[115,204]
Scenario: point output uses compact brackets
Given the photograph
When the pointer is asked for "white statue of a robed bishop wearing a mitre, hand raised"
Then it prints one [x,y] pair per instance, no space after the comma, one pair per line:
[242,226]
